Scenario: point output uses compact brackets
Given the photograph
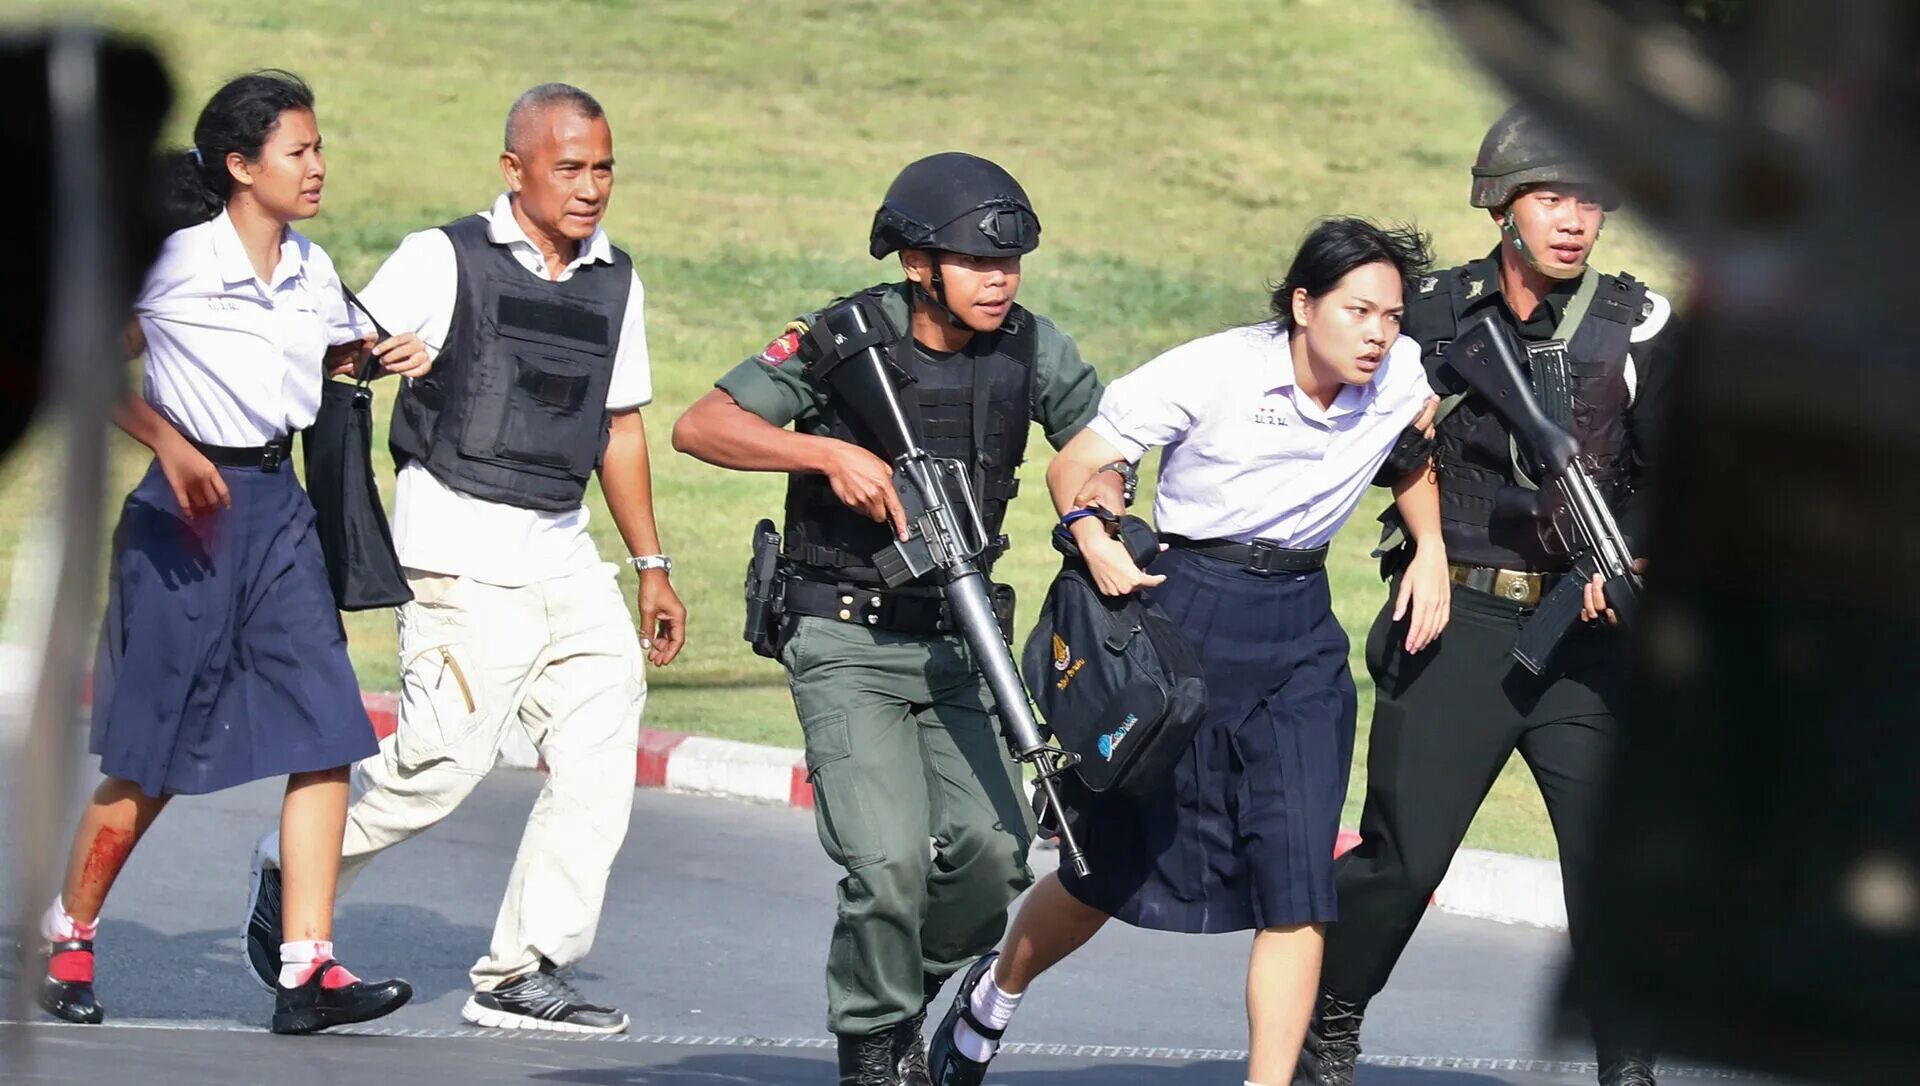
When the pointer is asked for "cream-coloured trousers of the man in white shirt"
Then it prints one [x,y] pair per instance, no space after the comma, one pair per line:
[558,659]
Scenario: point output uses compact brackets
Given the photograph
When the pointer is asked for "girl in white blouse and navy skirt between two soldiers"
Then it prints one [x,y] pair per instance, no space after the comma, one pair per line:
[1272,437]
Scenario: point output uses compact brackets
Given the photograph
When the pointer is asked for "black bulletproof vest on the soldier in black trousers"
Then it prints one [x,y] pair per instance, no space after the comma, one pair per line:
[1487,498]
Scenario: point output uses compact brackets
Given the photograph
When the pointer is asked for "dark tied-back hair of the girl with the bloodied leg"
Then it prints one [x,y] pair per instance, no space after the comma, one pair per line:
[237,120]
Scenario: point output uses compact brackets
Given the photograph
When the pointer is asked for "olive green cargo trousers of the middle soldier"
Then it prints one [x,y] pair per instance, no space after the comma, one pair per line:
[919,799]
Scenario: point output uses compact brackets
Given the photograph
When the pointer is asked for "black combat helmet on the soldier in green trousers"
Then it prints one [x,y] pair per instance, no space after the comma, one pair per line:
[961,204]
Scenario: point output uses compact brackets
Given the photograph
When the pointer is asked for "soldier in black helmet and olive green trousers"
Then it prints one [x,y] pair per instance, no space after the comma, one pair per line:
[900,744]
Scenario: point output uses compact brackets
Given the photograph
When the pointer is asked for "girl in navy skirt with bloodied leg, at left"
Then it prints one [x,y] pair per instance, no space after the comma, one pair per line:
[222,657]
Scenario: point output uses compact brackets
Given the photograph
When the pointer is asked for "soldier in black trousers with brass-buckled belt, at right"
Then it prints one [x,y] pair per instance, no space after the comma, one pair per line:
[1447,720]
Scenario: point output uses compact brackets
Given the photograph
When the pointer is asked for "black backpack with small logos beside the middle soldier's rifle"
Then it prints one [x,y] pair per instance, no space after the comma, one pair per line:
[1115,678]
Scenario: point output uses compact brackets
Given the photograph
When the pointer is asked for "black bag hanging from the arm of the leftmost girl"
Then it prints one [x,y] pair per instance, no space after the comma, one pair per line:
[362,565]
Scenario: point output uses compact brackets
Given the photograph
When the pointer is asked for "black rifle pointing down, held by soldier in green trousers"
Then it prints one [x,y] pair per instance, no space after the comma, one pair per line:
[946,531]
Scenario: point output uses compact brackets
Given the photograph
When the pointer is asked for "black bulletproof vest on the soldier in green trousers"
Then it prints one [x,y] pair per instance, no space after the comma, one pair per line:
[972,408]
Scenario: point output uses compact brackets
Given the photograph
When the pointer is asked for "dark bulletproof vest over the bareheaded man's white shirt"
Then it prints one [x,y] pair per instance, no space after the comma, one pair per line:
[516,408]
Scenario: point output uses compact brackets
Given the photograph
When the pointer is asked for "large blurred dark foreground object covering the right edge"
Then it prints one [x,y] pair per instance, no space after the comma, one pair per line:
[1758,895]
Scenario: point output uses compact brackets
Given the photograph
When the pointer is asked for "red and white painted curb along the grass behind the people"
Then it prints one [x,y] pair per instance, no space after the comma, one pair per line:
[1483,885]
